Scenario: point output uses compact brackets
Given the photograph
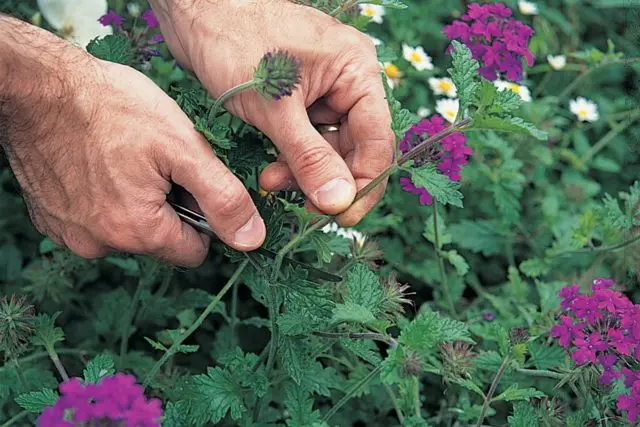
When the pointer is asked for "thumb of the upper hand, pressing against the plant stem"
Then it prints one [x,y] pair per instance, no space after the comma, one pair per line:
[317,167]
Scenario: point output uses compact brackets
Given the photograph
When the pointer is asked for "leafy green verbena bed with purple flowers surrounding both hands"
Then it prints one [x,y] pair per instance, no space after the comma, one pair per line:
[445,315]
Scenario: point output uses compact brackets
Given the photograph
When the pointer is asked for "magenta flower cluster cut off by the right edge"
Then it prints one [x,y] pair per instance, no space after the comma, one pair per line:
[603,328]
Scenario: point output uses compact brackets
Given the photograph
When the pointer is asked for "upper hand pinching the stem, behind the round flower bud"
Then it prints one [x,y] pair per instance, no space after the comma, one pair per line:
[222,42]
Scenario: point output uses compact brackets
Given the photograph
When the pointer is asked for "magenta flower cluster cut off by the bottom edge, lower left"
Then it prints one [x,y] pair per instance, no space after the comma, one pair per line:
[115,401]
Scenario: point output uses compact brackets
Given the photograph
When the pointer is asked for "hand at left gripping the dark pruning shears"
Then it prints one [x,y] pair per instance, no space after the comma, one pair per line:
[95,148]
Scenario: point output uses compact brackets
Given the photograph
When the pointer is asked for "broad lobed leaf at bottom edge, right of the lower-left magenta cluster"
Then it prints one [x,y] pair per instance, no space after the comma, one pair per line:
[219,394]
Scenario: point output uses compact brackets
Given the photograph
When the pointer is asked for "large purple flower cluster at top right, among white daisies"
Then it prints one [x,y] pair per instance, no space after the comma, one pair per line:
[495,39]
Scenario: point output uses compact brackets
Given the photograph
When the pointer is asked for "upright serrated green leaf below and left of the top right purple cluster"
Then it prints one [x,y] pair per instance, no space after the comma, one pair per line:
[464,75]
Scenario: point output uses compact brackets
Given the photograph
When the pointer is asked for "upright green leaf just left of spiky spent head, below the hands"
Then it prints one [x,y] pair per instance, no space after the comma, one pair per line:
[364,289]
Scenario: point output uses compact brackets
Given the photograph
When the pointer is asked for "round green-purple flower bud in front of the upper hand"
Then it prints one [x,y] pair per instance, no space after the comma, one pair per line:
[277,75]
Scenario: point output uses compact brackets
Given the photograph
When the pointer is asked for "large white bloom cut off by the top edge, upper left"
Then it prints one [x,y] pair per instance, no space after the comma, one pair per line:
[76,21]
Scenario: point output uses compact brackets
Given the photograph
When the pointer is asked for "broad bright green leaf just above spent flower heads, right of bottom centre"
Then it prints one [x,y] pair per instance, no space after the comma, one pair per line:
[428,330]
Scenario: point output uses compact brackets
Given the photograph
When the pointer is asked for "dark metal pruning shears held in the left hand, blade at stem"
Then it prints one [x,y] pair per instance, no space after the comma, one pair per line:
[199,222]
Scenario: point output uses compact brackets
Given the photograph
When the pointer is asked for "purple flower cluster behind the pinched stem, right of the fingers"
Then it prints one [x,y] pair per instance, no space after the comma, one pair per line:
[451,153]
